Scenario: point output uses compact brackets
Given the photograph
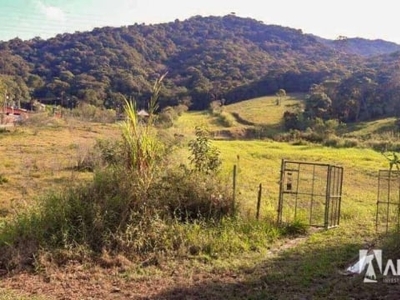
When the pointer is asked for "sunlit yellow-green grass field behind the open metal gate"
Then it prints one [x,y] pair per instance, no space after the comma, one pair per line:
[259,162]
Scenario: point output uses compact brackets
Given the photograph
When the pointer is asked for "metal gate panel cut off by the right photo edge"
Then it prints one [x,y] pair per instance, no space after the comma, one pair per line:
[388,204]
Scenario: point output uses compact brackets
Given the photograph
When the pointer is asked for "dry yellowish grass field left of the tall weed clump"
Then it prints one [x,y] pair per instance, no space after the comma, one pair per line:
[36,159]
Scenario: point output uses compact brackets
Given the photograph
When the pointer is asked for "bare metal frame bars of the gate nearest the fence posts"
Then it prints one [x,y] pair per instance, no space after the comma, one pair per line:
[328,187]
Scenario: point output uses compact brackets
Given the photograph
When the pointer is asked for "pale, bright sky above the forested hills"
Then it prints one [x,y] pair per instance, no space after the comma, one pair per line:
[368,19]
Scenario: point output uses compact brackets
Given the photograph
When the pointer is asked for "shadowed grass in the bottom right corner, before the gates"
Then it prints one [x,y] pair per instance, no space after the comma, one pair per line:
[313,269]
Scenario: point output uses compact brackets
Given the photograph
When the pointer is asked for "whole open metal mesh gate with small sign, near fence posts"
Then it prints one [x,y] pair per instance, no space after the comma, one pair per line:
[310,193]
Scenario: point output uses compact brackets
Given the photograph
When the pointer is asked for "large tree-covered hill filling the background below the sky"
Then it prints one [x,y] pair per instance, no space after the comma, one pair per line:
[206,58]
